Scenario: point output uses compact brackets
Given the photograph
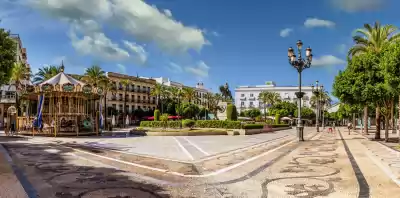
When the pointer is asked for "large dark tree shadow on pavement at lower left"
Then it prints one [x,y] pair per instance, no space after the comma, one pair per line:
[57,172]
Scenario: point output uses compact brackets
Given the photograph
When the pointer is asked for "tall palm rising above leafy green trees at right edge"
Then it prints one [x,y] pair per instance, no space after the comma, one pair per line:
[373,38]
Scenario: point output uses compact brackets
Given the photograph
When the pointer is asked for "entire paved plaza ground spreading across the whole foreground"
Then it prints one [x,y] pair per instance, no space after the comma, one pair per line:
[264,165]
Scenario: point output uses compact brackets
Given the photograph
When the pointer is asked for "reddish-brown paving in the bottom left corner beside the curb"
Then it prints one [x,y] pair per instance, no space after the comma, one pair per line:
[10,186]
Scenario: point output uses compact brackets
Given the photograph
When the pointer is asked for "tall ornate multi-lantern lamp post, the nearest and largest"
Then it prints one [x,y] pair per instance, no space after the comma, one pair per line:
[300,64]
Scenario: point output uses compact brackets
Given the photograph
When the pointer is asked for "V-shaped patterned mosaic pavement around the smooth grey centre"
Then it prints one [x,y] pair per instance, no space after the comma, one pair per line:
[327,165]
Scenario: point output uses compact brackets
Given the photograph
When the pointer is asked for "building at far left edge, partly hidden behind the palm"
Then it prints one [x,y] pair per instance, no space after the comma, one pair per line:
[8,92]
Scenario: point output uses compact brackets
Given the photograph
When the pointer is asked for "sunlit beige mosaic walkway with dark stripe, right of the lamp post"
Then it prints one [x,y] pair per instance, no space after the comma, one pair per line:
[329,165]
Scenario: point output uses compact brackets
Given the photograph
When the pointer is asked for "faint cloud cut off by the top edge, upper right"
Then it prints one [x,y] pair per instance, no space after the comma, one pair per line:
[358,5]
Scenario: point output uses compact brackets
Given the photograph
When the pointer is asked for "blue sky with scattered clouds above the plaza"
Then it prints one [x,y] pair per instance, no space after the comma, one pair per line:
[190,41]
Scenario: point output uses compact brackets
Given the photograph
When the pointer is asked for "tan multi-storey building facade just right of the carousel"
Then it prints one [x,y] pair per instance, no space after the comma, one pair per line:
[137,93]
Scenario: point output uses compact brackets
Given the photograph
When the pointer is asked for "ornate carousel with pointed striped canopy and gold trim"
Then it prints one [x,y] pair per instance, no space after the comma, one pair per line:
[65,107]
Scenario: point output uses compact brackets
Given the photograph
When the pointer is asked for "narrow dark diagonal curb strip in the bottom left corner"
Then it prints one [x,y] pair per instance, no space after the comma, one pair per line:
[26,185]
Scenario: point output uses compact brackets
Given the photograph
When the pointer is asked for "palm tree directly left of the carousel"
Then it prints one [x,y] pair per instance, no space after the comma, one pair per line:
[19,76]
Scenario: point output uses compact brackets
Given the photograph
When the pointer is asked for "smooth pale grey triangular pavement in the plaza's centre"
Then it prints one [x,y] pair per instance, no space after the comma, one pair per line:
[182,148]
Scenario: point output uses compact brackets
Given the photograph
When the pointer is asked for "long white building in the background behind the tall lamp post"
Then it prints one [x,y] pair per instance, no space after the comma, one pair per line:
[246,97]
